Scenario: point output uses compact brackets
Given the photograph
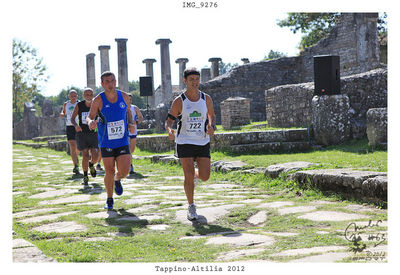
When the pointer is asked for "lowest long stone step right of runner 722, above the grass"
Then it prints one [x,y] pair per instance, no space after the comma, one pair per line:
[271,147]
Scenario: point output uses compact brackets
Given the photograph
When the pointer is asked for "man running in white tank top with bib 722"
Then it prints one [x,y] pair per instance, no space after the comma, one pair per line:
[197,123]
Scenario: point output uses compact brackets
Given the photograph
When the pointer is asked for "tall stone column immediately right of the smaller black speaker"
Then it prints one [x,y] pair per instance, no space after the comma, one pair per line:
[166,85]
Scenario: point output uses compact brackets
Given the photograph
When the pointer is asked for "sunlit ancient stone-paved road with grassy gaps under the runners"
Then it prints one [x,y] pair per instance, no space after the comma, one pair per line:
[154,197]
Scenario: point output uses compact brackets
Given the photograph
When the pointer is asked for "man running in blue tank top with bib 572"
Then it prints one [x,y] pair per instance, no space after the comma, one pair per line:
[116,121]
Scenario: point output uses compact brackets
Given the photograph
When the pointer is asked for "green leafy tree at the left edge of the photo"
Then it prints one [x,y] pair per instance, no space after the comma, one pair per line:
[29,74]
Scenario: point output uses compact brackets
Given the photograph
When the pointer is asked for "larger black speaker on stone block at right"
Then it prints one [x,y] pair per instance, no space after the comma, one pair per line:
[326,75]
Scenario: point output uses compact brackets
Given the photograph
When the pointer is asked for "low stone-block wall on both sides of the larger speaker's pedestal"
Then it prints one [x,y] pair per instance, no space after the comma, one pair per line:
[290,105]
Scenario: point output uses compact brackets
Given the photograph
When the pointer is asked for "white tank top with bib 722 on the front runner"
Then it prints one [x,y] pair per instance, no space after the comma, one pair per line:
[193,121]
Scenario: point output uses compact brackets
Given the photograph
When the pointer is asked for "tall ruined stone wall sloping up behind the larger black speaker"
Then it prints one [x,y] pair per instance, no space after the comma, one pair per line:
[354,39]
